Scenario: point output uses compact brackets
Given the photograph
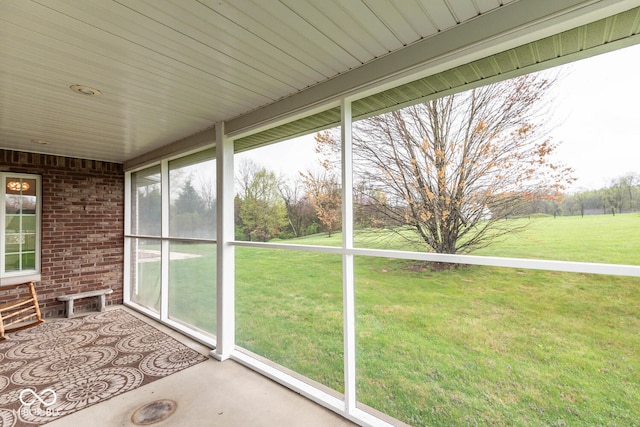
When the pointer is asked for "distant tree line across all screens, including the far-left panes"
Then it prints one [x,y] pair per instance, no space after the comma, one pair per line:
[269,207]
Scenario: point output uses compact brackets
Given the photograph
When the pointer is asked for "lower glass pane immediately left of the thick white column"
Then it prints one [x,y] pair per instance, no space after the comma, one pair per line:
[192,284]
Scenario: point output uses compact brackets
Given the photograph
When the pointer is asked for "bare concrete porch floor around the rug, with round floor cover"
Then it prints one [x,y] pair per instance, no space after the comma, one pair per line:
[211,393]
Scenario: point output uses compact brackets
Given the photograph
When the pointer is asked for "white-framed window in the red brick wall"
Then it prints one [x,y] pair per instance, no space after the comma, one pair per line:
[20,218]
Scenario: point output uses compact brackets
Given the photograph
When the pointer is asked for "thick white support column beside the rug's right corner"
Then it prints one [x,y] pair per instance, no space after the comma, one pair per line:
[225,312]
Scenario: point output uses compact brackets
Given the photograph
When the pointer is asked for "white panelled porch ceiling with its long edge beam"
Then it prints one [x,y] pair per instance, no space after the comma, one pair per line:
[168,70]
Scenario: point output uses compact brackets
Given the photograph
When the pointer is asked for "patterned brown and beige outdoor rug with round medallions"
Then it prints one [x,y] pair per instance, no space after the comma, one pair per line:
[64,365]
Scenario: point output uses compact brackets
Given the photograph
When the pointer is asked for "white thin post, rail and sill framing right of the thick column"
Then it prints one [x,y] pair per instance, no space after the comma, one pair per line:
[348,406]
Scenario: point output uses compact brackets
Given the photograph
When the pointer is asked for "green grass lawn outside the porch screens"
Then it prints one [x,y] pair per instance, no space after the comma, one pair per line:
[468,346]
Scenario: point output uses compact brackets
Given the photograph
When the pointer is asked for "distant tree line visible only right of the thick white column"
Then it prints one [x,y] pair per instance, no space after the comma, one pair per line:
[268,207]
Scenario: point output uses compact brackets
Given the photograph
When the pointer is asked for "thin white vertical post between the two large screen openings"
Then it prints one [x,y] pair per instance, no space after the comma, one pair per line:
[348,291]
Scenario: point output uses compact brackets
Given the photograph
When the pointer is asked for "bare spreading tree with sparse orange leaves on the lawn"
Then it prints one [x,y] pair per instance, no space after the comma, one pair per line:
[454,168]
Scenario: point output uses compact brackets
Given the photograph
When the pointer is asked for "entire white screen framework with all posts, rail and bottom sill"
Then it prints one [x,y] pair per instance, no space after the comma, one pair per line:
[224,343]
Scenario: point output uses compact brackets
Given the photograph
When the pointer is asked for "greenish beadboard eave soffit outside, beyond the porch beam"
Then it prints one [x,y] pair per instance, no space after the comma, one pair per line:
[577,43]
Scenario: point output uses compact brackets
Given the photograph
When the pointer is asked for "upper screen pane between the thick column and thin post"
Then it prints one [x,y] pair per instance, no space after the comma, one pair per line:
[288,193]
